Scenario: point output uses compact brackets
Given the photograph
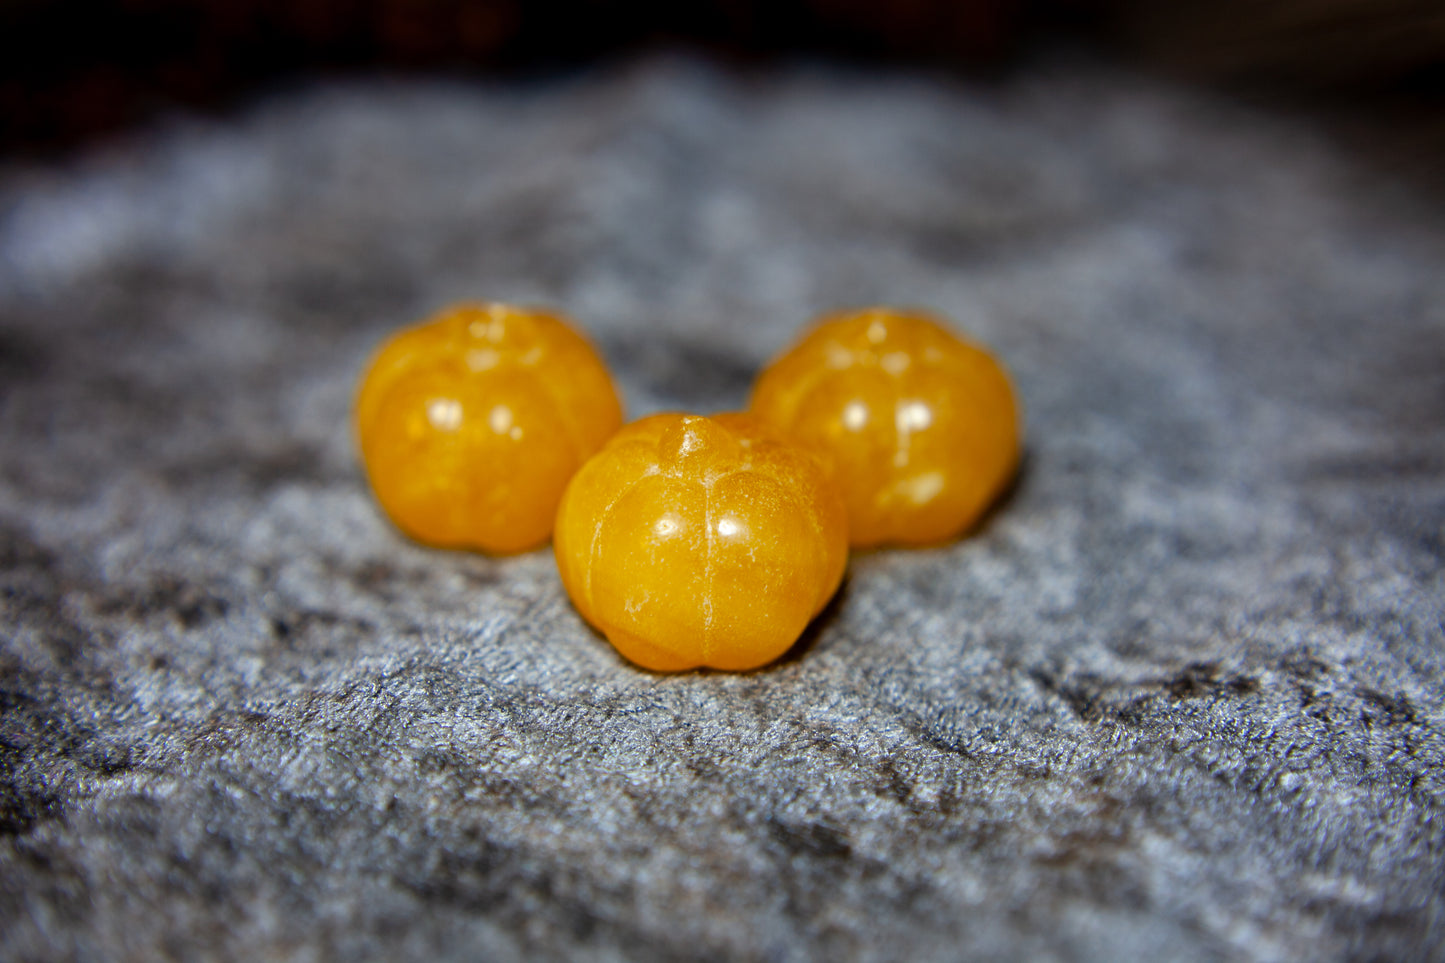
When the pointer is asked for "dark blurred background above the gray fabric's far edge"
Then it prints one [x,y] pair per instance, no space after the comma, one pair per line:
[72,70]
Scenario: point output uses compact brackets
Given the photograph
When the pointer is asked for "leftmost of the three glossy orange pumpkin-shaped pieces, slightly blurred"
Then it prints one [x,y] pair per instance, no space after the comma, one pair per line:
[473,423]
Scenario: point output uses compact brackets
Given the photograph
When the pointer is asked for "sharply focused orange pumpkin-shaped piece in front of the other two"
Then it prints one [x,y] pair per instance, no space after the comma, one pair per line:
[702,542]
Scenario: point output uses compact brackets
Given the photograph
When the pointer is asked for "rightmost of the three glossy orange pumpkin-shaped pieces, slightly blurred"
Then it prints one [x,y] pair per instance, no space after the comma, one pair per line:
[923,427]
